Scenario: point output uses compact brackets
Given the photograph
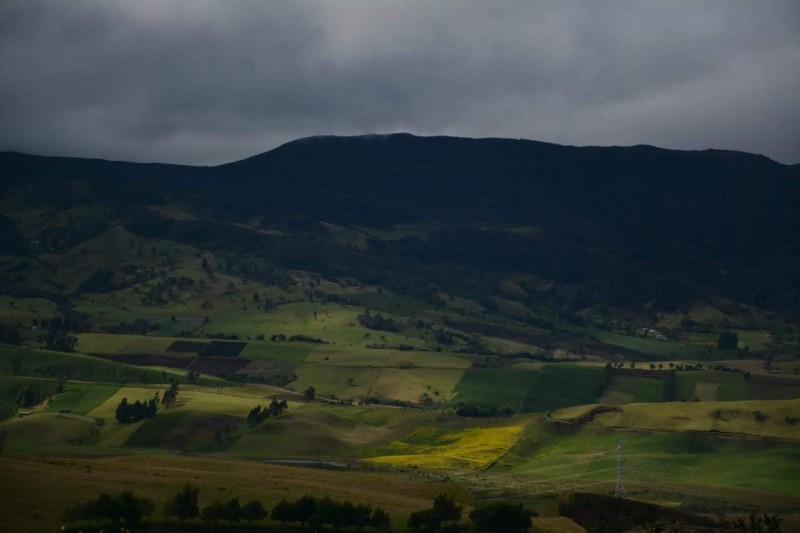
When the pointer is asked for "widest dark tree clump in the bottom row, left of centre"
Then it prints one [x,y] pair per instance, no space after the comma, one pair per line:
[315,512]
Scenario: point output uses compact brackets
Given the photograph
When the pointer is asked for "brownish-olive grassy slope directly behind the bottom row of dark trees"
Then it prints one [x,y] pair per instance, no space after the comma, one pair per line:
[26,507]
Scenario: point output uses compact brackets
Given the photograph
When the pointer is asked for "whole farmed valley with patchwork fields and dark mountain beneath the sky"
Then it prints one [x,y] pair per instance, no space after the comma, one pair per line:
[504,359]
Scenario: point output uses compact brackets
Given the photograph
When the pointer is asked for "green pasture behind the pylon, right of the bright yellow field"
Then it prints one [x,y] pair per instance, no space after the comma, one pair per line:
[560,457]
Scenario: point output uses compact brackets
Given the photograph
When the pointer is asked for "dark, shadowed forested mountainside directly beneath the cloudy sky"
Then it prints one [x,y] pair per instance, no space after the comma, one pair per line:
[620,226]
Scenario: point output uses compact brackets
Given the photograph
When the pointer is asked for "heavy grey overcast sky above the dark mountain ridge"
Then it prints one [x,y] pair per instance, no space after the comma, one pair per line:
[204,82]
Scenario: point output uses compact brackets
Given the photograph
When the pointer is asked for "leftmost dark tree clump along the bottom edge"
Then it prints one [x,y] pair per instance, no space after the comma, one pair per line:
[124,508]
